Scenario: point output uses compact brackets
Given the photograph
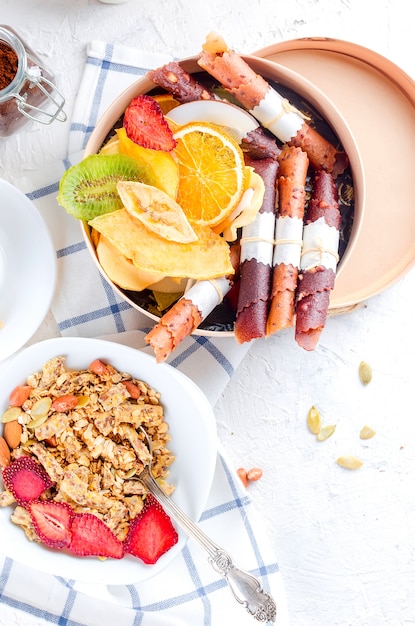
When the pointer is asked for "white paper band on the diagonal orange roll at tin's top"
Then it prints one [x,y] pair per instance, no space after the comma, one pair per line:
[278,115]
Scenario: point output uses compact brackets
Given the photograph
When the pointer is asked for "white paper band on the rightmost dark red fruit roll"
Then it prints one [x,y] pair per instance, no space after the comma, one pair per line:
[320,245]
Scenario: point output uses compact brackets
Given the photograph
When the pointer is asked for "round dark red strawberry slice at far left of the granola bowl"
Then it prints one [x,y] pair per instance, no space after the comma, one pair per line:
[26,479]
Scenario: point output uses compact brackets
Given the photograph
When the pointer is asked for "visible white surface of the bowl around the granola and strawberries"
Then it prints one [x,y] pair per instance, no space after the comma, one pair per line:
[193,429]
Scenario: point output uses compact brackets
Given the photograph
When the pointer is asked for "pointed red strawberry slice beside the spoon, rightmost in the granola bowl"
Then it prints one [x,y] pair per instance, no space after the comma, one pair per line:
[151,533]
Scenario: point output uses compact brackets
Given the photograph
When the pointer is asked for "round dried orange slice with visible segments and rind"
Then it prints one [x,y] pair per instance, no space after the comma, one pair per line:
[211,173]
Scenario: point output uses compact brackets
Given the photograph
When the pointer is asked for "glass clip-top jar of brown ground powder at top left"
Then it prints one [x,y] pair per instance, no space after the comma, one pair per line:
[27,92]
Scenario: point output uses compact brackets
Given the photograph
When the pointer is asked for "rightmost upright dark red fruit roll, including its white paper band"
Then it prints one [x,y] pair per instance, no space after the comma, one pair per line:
[318,261]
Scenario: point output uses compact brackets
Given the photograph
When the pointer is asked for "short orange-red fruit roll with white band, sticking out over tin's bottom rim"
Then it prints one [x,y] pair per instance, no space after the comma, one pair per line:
[190,310]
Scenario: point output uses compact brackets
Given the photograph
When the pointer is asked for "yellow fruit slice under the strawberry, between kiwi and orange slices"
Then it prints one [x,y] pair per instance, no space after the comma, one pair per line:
[162,163]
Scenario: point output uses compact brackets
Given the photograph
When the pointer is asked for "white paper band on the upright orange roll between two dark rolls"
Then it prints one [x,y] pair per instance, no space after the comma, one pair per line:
[288,241]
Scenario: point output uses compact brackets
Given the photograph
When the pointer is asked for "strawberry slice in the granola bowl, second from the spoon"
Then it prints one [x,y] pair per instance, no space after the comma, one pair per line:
[92,537]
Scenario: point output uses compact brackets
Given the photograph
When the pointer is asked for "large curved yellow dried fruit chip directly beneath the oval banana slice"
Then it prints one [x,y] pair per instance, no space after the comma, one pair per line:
[206,258]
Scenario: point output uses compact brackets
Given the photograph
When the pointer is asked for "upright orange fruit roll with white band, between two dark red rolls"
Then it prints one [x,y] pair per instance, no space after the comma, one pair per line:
[293,167]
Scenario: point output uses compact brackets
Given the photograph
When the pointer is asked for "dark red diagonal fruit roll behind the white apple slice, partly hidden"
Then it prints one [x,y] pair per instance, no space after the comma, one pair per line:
[184,88]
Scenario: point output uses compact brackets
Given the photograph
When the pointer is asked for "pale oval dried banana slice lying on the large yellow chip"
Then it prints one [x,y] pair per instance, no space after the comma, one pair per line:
[156,210]
